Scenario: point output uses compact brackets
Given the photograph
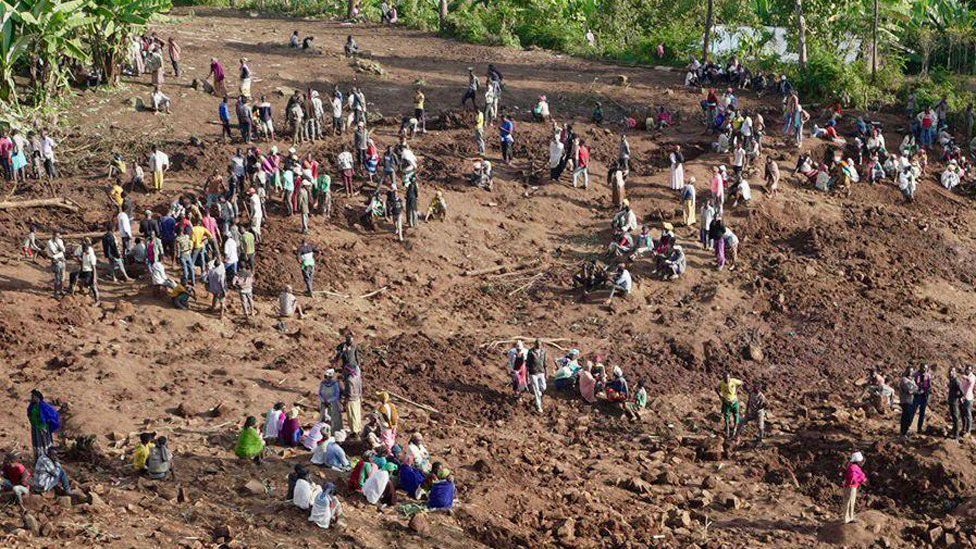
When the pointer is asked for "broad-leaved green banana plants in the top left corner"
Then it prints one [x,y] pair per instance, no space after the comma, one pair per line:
[45,40]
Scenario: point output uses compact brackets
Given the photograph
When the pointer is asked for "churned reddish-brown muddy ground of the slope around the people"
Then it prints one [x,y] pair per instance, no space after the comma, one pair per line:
[827,287]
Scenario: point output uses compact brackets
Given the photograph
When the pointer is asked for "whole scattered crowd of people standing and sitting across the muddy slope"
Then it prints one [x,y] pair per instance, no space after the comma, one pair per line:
[213,236]
